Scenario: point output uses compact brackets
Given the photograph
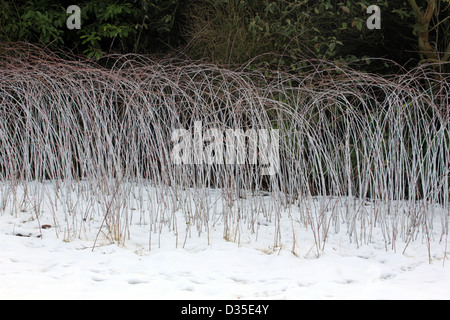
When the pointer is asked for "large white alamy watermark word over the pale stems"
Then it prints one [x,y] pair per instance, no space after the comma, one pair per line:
[227,147]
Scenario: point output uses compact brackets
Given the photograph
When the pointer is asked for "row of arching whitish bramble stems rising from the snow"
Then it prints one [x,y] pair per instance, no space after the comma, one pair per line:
[357,151]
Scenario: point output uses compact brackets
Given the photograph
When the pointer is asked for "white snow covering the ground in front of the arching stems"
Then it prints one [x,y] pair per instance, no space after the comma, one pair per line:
[38,263]
